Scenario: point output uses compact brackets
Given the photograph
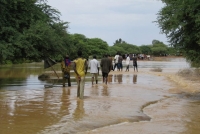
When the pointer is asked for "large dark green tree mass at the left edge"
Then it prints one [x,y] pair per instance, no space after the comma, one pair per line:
[30,30]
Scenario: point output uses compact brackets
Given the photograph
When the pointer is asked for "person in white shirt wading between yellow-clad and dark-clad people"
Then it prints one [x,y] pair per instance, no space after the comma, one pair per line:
[94,69]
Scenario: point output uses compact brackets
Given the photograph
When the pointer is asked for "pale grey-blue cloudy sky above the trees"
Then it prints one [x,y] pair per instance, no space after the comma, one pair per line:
[130,20]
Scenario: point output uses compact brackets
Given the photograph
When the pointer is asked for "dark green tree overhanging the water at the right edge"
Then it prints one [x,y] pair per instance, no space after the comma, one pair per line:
[180,21]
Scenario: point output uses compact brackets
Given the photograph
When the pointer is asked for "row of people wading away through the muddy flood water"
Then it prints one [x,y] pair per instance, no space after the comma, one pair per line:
[80,67]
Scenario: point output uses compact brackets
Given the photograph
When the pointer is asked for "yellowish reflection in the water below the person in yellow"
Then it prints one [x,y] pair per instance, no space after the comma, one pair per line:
[79,112]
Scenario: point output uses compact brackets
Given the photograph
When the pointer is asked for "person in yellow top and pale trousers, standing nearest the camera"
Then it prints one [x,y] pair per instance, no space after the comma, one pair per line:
[80,69]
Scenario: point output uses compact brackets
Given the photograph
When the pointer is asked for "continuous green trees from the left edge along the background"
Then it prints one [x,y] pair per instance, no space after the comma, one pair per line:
[31,30]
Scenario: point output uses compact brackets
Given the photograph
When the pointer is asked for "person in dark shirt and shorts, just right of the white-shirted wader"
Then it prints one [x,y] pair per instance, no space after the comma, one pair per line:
[105,67]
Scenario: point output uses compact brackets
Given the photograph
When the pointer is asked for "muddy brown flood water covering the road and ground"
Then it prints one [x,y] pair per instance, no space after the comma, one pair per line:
[132,102]
